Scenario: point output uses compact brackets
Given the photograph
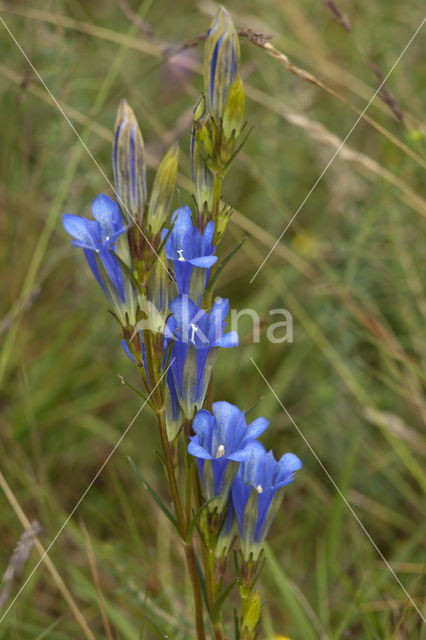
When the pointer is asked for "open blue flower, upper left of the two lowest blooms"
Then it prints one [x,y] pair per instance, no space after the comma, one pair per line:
[221,442]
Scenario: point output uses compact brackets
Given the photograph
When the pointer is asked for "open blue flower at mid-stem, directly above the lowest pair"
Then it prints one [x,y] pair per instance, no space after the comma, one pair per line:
[198,335]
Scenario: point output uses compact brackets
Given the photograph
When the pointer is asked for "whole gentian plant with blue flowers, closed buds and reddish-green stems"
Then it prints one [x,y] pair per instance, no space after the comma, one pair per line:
[158,273]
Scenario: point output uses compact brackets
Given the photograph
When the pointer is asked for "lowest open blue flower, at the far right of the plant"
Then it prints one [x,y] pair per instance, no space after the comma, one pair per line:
[257,493]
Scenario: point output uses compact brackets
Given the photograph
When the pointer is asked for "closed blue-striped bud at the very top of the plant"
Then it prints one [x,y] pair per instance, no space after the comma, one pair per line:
[221,62]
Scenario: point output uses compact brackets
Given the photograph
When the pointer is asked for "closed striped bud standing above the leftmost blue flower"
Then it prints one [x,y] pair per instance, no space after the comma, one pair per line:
[129,164]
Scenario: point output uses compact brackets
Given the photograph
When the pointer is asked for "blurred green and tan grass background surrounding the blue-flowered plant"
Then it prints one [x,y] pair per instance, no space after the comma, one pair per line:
[351,270]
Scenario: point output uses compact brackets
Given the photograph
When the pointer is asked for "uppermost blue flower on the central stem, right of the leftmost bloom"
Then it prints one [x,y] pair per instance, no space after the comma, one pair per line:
[191,253]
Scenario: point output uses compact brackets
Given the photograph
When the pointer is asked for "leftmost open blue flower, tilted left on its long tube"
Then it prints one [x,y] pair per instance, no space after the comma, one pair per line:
[96,238]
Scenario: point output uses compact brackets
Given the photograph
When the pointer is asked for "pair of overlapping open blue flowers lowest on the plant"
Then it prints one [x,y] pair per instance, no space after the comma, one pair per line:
[236,470]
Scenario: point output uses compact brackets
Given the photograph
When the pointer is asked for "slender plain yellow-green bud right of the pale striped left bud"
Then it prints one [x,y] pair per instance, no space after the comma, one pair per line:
[163,189]
